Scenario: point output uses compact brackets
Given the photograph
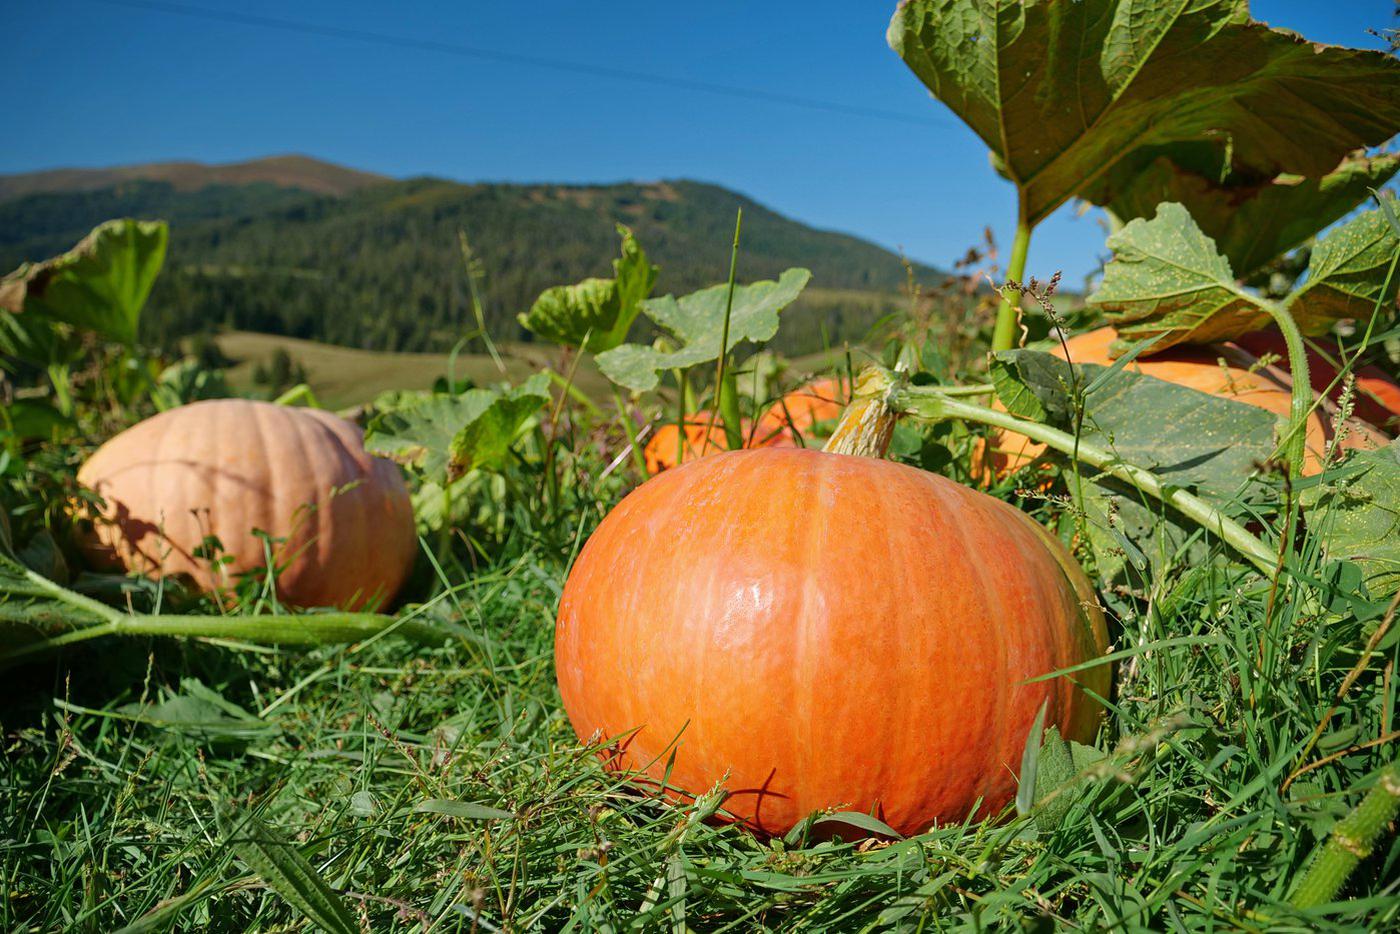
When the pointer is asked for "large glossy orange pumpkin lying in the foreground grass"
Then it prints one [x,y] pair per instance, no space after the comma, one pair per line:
[832,632]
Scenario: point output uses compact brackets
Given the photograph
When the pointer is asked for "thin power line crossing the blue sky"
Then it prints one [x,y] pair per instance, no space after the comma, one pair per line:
[513,58]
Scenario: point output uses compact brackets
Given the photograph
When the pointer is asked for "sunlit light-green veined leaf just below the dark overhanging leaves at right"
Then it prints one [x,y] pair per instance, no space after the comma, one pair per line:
[1167,279]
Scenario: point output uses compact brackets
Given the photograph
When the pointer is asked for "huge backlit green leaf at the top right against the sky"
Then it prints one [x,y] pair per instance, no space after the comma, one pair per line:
[1063,90]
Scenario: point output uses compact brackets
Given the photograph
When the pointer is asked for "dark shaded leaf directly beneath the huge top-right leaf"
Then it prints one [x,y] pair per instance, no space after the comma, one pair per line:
[1251,219]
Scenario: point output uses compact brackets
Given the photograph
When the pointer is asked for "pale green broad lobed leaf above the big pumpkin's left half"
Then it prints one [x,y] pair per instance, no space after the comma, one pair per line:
[696,321]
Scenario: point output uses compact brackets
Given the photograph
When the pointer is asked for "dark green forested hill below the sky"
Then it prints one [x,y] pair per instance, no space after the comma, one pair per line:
[379,264]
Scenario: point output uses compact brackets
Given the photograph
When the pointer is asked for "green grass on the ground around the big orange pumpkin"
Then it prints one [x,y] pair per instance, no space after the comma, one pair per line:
[132,775]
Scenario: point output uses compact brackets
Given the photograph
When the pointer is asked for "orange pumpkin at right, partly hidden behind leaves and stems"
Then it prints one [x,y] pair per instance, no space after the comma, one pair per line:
[1200,369]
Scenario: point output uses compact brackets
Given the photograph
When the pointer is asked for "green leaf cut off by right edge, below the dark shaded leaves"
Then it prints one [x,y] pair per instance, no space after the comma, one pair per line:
[1347,274]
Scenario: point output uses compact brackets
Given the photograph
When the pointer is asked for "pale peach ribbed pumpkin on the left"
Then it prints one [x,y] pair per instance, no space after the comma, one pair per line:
[229,467]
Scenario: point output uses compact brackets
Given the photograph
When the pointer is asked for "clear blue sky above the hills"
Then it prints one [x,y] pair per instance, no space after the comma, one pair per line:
[97,83]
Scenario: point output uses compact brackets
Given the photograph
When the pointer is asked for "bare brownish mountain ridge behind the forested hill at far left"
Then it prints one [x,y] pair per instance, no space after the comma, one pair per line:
[281,172]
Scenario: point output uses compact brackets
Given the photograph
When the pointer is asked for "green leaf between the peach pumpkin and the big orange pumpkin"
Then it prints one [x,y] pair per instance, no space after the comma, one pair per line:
[446,436]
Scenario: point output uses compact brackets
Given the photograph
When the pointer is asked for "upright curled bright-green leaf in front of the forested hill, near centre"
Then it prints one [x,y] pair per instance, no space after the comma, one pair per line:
[598,312]
